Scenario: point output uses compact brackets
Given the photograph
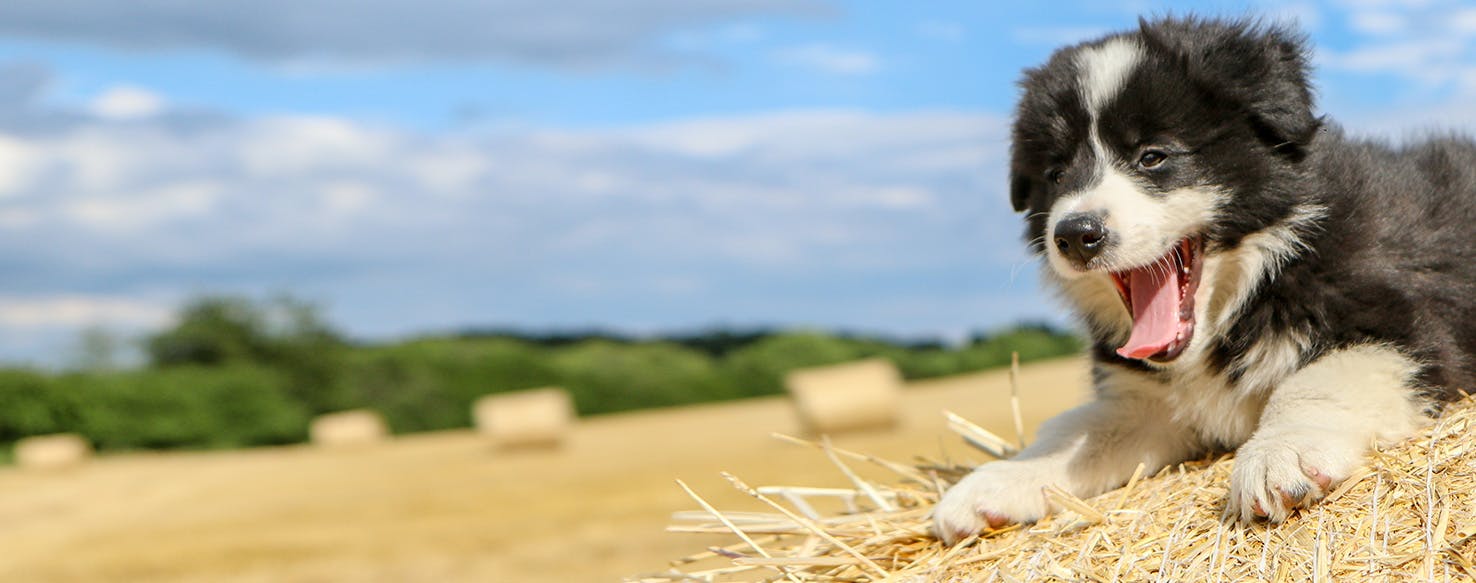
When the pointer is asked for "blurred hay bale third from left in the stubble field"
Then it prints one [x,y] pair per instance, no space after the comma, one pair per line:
[534,418]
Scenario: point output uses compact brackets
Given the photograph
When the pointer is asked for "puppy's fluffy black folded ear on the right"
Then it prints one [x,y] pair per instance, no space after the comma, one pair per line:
[1263,69]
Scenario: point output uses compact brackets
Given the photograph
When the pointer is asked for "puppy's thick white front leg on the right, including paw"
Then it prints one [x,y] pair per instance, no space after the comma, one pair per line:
[1319,426]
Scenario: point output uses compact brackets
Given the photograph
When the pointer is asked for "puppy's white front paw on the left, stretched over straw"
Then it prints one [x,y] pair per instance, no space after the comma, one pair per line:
[993,497]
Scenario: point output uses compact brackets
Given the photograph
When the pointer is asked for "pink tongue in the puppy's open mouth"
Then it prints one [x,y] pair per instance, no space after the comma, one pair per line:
[1155,293]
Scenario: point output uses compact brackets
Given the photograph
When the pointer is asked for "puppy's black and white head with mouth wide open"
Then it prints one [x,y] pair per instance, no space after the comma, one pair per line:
[1139,154]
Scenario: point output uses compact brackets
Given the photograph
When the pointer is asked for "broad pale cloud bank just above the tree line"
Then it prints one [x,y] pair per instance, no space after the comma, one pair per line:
[399,231]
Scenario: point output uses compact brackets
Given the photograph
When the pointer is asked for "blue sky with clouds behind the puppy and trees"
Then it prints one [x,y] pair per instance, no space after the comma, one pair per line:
[641,166]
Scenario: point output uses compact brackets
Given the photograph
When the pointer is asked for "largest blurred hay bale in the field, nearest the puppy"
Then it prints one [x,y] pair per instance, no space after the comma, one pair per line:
[854,396]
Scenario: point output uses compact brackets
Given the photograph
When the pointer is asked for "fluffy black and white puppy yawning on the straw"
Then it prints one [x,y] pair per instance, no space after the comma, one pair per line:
[1251,278]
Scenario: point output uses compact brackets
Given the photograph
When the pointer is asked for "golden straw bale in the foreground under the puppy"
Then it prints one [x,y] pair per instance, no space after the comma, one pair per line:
[1409,516]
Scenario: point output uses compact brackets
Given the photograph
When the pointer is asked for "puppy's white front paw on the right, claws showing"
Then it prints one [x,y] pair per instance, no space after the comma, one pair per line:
[1288,470]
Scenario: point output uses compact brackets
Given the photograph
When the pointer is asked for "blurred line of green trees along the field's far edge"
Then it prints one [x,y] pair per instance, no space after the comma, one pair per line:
[235,373]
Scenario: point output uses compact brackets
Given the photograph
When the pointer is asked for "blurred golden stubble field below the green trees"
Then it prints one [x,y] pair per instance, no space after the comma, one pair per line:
[448,508]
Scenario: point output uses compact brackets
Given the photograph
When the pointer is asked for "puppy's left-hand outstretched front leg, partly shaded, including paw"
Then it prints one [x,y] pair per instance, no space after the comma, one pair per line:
[1086,451]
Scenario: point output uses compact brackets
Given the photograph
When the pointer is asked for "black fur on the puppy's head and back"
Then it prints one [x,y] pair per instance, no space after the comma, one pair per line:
[1394,259]
